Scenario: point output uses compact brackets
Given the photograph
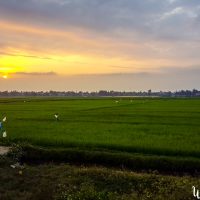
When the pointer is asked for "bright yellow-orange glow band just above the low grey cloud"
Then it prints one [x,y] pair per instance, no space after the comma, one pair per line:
[68,65]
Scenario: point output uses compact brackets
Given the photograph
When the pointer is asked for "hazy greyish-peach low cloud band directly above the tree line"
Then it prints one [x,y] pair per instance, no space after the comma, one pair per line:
[169,78]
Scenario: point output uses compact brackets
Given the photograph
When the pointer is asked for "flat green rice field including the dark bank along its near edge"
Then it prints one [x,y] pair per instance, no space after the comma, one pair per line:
[127,130]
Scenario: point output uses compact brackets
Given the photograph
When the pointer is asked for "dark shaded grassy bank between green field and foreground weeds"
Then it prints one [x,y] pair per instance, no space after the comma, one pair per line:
[137,162]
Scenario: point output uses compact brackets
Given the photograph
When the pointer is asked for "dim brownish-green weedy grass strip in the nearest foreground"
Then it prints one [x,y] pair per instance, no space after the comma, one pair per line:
[69,182]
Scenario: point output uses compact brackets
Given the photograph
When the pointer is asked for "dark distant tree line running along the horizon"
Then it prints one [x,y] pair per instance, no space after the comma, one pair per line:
[102,93]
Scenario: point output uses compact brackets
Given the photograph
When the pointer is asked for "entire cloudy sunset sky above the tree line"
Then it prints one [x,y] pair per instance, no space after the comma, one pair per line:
[99,44]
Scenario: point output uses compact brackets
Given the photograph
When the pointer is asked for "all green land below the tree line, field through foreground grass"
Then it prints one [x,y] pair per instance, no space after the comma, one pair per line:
[148,135]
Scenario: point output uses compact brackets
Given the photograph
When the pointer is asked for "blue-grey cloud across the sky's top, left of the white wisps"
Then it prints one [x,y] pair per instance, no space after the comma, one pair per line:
[97,15]
